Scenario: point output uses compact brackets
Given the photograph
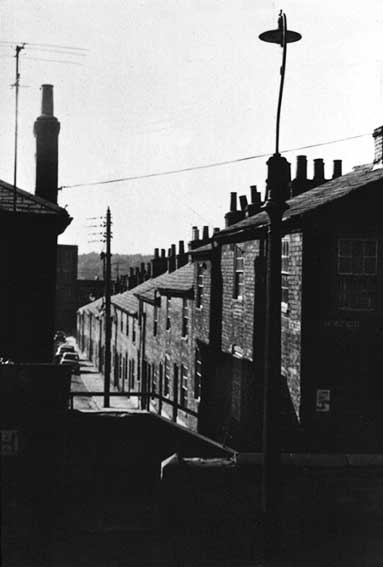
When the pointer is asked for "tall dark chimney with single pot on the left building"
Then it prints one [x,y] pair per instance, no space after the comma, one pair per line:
[46,130]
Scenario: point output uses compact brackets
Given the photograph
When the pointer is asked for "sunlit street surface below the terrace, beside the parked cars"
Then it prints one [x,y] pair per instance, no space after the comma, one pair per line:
[91,380]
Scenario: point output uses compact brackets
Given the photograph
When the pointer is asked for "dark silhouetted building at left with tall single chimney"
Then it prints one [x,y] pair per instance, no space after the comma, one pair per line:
[29,227]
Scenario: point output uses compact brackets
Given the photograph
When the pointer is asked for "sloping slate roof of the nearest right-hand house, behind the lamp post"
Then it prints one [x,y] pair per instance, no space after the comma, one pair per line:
[313,199]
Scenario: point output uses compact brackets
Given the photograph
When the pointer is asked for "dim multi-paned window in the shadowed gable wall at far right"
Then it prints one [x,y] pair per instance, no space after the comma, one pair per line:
[356,274]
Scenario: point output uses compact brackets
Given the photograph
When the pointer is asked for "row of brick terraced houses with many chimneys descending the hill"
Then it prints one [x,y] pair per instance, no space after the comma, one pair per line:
[191,337]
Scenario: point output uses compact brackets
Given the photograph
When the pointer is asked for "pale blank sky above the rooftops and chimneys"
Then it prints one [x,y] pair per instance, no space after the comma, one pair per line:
[168,84]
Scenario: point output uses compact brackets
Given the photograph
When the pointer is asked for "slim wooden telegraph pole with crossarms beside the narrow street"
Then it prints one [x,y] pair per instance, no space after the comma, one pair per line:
[108,321]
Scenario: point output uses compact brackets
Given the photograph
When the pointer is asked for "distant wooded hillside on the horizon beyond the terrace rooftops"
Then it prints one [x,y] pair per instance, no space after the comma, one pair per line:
[90,265]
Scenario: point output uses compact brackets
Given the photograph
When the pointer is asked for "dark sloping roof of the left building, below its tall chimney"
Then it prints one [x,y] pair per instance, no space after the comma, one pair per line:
[26,202]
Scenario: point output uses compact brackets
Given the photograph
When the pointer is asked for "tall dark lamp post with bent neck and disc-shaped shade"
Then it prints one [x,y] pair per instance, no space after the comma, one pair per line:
[278,178]
